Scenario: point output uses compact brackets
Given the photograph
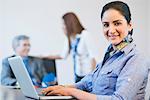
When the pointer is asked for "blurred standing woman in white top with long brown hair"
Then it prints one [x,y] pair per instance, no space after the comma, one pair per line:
[79,45]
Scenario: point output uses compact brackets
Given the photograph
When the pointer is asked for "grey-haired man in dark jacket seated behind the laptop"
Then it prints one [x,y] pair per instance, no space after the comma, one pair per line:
[34,65]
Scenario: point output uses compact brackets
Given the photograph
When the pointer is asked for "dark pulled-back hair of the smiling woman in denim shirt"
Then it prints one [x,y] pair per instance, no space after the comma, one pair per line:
[120,6]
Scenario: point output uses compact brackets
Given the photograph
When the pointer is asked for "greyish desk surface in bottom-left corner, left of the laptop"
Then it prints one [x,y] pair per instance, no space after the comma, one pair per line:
[11,94]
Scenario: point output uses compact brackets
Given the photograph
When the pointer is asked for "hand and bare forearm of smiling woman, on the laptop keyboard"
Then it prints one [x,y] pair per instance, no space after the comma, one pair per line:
[69,91]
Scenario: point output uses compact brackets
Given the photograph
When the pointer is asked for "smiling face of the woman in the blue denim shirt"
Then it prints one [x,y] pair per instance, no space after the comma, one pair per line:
[115,26]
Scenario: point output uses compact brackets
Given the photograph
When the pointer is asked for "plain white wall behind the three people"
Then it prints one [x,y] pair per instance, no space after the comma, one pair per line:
[41,20]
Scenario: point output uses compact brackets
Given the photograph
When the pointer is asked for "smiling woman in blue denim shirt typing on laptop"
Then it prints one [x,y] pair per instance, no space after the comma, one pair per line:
[123,73]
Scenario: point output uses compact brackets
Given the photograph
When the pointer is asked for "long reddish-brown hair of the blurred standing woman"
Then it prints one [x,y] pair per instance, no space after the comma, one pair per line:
[73,25]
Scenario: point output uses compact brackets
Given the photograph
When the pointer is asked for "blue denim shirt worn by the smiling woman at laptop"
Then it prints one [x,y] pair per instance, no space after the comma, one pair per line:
[122,77]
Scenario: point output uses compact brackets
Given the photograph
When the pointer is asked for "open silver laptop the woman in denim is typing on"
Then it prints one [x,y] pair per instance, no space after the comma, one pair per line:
[25,82]
